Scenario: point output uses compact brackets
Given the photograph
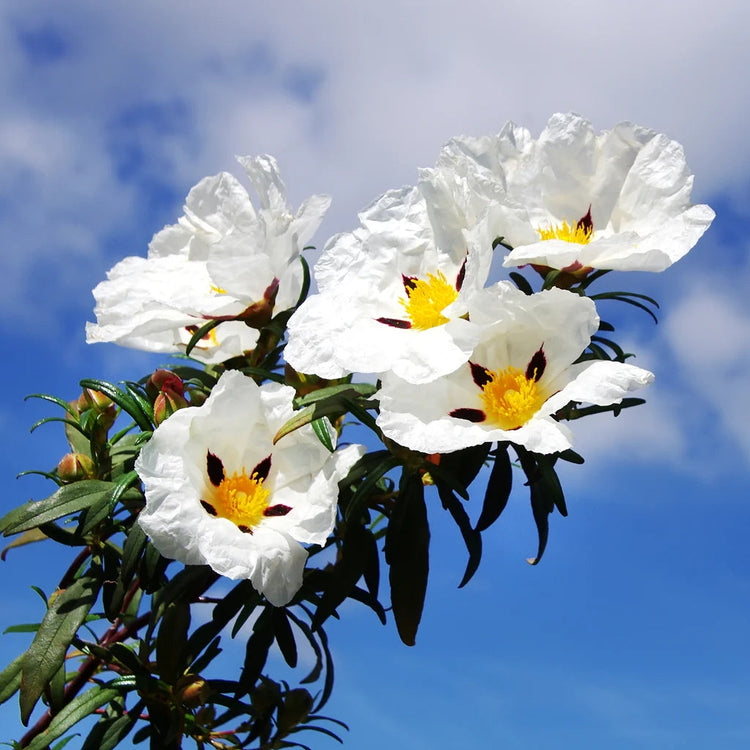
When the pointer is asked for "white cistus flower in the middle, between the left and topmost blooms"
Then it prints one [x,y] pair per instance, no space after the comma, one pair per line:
[391,298]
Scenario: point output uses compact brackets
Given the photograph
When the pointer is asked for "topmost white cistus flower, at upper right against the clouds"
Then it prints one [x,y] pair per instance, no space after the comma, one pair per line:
[573,199]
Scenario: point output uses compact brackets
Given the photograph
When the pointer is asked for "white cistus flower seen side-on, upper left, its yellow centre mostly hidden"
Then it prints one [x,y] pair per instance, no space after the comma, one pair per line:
[224,259]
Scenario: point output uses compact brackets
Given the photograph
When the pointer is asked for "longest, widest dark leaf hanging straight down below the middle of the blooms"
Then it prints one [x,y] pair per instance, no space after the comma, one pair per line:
[407,554]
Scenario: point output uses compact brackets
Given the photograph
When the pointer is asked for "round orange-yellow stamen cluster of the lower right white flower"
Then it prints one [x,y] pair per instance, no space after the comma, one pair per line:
[510,399]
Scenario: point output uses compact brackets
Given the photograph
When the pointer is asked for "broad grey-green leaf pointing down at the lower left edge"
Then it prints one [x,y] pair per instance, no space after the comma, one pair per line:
[66,613]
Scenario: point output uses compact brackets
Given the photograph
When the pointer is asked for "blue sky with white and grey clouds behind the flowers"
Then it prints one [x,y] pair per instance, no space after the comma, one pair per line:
[632,633]
